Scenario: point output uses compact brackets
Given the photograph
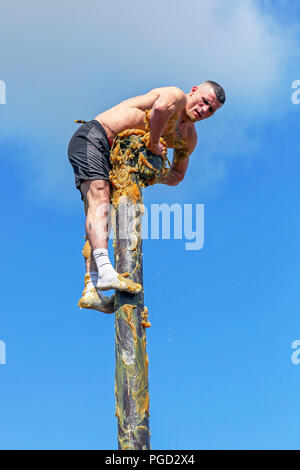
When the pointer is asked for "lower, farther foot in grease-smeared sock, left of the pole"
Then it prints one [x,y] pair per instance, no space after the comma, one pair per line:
[93,299]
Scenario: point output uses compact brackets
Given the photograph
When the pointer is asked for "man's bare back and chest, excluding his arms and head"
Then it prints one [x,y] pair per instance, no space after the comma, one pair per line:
[130,114]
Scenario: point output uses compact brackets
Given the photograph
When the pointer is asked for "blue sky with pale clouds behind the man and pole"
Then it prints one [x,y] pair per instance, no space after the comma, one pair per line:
[224,317]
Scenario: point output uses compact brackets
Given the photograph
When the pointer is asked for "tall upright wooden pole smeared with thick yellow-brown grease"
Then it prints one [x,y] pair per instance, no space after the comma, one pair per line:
[133,168]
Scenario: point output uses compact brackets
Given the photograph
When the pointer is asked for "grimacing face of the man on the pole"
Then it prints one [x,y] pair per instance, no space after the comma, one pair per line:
[201,102]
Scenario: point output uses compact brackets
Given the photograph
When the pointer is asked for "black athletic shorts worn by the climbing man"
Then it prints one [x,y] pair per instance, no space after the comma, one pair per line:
[89,153]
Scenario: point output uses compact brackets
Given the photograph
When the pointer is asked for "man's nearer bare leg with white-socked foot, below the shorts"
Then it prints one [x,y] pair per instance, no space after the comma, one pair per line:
[97,195]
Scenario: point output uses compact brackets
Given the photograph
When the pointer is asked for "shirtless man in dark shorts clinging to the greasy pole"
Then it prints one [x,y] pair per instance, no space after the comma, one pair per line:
[89,151]
